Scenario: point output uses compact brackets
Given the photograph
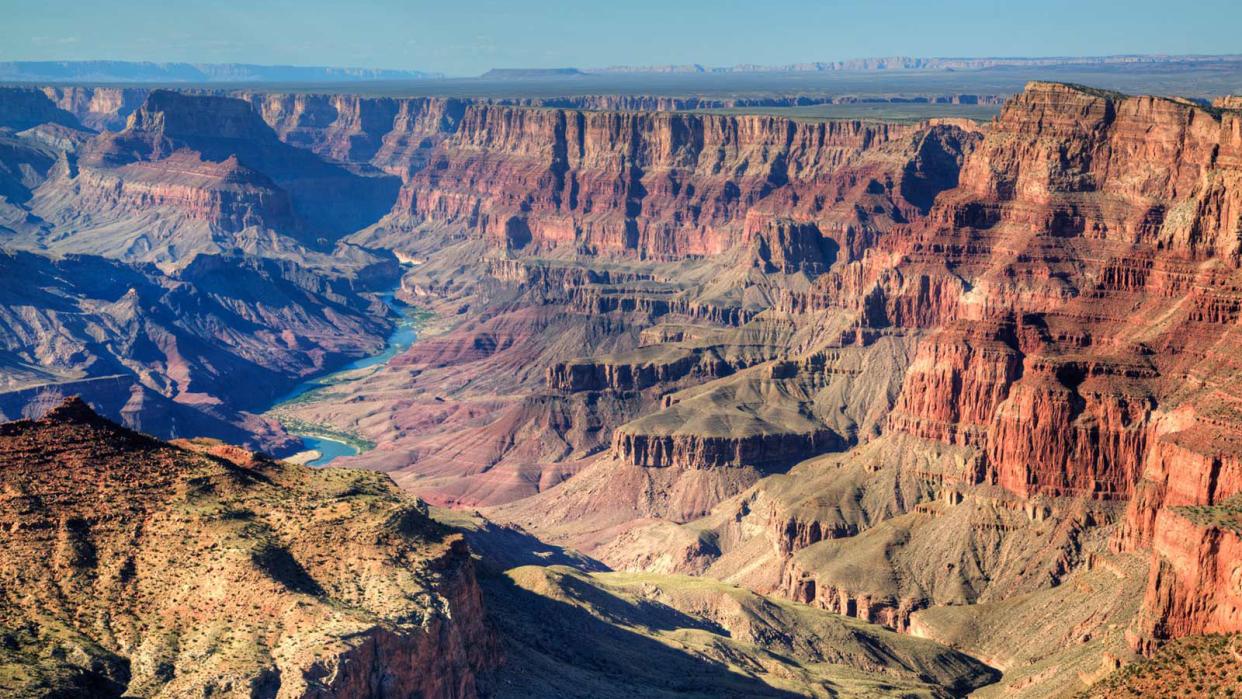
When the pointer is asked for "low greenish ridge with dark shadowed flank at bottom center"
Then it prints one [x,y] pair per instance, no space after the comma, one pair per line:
[571,634]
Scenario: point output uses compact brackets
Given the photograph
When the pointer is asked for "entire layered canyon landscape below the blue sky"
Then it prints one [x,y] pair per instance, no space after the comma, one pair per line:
[619,393]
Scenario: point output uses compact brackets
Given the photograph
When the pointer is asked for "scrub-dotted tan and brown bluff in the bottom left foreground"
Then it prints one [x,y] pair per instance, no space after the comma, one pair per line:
[140,568]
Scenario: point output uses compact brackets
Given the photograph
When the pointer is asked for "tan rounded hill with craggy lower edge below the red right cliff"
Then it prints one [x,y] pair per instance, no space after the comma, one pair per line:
[945,553]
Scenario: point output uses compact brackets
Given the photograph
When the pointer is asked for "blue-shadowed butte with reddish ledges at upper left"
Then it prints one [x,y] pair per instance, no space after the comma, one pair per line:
[202,173]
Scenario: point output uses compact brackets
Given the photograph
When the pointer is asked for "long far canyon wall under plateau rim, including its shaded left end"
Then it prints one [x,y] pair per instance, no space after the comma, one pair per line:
[648,184]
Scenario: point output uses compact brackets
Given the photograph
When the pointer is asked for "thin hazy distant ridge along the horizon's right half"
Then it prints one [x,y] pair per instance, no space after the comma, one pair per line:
[913,64]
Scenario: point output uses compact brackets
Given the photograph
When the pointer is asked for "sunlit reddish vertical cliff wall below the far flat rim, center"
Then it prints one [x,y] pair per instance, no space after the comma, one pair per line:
[650,186]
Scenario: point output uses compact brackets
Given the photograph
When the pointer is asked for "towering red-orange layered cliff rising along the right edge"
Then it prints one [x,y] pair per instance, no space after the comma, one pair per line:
[1094,244]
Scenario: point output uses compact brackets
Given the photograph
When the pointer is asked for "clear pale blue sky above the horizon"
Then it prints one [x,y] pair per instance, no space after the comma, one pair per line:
[470,37]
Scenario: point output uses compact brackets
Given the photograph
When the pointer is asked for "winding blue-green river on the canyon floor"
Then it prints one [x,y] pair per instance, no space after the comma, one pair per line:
[326,440]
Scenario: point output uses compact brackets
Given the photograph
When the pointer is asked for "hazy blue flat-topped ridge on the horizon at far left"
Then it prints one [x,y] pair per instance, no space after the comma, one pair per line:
[134,71]
